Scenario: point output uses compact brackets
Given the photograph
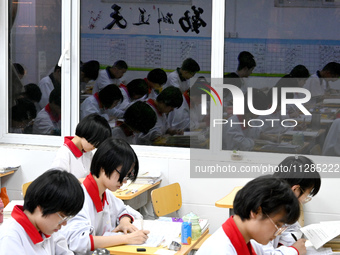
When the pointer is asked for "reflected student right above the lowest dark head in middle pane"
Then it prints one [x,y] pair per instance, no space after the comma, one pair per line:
[135,90]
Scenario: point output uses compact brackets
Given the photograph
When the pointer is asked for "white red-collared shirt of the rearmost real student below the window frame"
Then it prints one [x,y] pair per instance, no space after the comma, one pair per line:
[73,160]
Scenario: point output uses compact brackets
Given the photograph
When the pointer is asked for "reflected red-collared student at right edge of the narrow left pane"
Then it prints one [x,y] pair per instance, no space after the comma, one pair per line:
[48,120]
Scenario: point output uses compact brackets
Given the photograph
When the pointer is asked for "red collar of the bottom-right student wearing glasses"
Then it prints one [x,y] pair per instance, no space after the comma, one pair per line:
[231,230]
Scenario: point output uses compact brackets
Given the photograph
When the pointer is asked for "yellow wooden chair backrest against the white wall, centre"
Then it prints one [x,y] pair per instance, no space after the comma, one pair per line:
[167,199]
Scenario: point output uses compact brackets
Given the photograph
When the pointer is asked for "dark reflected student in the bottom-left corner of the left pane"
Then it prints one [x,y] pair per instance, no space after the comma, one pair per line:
[22,114]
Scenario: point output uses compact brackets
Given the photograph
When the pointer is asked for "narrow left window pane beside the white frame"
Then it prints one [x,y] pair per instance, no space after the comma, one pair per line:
[34,51]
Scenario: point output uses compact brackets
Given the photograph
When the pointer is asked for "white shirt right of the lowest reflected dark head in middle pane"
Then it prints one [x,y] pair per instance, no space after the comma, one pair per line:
[158,130]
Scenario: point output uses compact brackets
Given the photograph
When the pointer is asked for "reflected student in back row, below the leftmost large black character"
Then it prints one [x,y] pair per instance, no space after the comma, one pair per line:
[110,75]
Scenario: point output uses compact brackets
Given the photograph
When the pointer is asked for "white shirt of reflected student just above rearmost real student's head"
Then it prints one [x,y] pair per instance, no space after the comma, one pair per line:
[92,104]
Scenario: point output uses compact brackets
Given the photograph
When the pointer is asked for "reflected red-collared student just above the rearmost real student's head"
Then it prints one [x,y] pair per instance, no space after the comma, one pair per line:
[102,102]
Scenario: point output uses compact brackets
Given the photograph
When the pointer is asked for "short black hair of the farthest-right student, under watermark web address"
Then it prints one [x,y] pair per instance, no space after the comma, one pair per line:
[298,170]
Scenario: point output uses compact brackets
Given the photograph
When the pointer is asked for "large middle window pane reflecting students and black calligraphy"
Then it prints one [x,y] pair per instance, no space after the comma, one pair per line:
[143,48]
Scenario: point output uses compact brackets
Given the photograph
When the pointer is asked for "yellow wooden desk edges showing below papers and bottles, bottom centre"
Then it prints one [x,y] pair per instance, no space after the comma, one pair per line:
[132,250]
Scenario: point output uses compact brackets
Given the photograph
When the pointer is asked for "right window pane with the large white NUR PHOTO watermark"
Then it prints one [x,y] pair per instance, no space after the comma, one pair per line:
[280,57]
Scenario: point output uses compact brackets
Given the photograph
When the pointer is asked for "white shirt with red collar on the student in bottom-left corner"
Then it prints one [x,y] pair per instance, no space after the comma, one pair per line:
[19,236]
